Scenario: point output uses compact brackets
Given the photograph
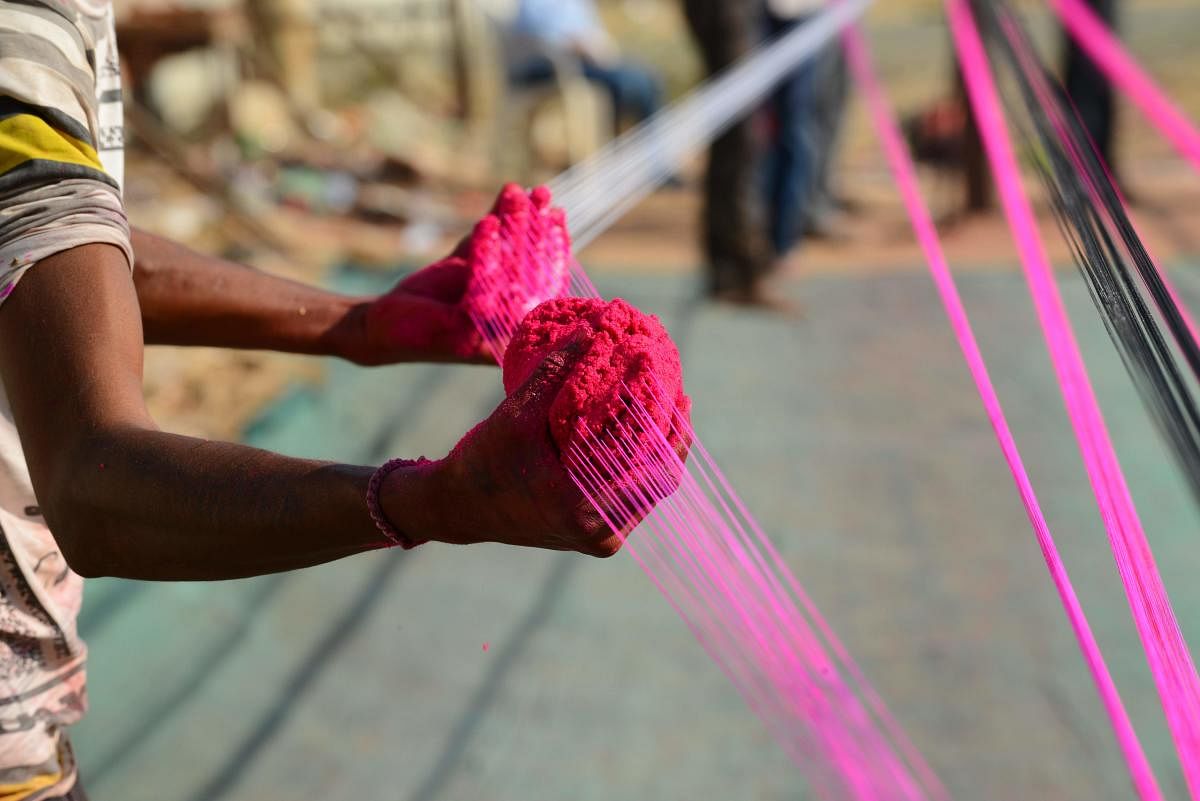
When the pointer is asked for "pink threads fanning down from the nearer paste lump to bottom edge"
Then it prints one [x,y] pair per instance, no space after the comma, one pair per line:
[757,636]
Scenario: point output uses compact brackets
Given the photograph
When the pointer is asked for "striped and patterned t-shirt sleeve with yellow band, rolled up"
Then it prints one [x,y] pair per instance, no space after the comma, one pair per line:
[59,189]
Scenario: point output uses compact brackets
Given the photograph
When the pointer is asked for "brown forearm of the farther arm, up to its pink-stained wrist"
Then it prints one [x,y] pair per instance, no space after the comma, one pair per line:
[189,299]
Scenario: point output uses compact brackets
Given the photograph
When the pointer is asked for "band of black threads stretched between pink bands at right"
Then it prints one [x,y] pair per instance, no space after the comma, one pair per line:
[1105,244]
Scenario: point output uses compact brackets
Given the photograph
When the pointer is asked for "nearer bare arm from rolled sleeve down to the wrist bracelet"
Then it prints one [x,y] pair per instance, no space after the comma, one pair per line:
[127,499]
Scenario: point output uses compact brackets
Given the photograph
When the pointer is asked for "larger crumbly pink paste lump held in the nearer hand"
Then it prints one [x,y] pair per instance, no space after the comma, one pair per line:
[627,357]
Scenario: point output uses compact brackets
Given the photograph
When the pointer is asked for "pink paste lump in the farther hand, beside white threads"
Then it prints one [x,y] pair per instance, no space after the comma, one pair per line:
[520,255]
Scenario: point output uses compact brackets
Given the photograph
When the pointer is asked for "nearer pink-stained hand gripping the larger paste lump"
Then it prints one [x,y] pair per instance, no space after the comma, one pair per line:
[506,481]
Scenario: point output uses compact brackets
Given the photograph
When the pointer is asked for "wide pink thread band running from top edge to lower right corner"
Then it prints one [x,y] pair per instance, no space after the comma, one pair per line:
[1167,653]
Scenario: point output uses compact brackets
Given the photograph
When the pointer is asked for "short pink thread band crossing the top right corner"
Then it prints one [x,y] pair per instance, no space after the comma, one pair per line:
[1107,52]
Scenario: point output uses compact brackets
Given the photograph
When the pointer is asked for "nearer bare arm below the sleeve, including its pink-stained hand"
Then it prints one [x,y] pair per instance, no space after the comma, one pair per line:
[127,499]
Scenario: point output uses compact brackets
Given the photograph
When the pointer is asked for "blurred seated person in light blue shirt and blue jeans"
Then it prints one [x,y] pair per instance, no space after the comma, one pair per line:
[569,34]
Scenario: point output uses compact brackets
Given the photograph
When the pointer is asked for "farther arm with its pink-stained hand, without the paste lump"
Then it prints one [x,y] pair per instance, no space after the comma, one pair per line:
[190,299]
